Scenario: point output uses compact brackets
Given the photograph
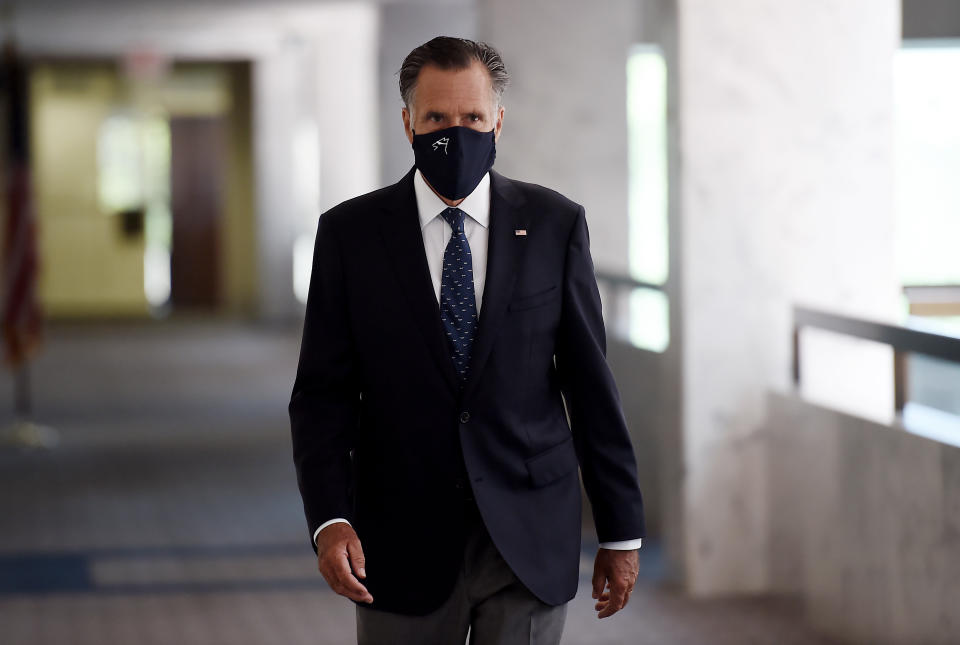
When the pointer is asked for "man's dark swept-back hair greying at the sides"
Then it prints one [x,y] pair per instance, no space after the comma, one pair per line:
[447,52]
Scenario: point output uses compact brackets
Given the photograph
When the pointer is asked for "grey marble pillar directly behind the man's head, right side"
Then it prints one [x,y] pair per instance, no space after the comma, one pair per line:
[565,124]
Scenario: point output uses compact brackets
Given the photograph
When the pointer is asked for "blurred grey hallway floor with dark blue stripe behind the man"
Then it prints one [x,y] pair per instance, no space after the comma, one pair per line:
[169,511]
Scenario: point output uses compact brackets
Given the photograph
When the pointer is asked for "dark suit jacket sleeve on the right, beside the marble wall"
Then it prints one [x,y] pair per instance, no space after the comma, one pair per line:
[600,435]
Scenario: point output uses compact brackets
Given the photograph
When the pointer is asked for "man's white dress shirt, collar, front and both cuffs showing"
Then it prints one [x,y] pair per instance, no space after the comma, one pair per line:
[436,233]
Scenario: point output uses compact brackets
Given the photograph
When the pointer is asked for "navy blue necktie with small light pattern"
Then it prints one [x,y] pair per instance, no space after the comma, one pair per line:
[458,305]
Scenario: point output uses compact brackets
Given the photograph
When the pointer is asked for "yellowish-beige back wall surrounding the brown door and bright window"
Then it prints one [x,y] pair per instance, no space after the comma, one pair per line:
[88,268]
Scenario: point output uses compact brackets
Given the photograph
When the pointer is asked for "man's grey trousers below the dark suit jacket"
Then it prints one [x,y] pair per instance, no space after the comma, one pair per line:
[488,600]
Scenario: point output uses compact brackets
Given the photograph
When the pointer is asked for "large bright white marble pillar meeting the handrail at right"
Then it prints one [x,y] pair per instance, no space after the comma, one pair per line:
[786,189]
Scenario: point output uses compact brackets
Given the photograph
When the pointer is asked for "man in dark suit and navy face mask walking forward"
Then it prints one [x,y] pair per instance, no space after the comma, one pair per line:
[449,318]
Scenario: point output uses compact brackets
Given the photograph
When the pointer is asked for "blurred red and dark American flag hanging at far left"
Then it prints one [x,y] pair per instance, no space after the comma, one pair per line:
[22,321]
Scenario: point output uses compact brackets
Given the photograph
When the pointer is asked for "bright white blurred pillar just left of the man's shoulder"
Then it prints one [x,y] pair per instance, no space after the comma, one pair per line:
[317,90]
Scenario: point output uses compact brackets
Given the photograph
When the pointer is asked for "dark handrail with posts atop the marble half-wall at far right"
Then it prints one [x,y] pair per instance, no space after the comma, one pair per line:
[903,340]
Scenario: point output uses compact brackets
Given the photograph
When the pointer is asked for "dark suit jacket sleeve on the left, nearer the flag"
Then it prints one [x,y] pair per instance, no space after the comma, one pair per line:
[325,403]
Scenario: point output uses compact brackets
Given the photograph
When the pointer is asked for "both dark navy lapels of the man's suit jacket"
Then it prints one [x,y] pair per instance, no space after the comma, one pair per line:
[403,239]
